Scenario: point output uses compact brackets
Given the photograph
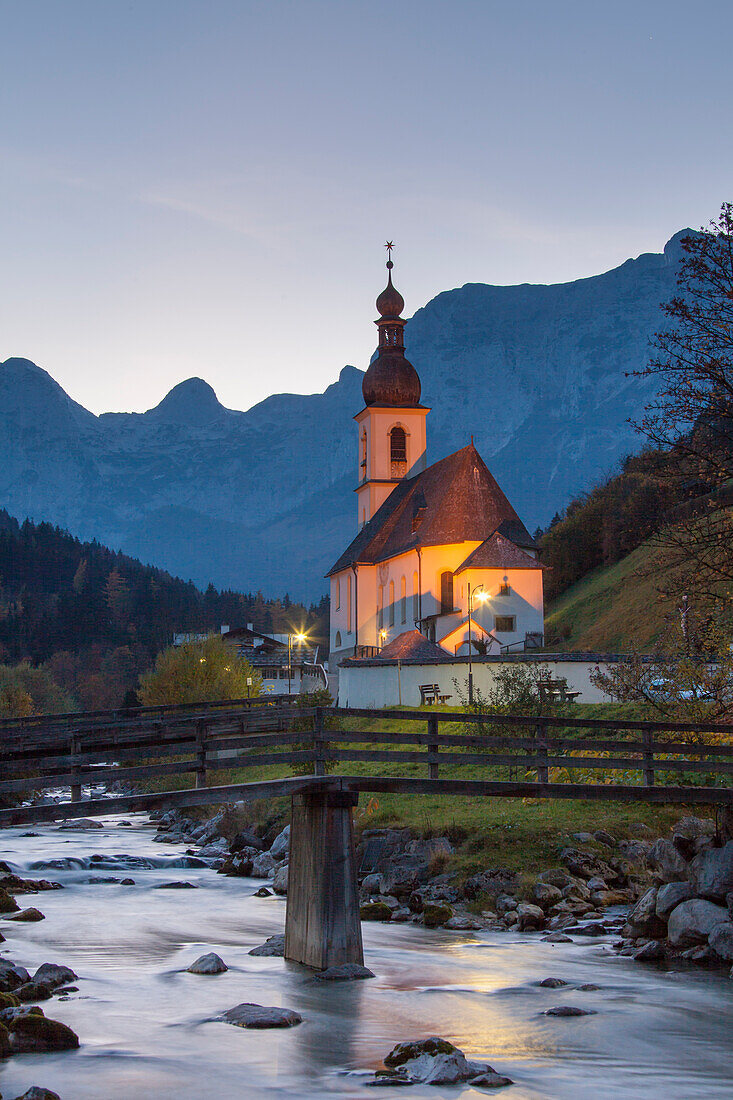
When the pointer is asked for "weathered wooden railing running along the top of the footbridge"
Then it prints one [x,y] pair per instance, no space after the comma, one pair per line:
[508,755]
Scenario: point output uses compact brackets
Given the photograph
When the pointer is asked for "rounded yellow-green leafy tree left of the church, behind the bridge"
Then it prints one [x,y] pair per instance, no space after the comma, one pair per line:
[199,673]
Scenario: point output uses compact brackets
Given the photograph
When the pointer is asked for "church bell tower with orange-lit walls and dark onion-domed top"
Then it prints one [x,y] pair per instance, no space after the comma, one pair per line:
[392,432]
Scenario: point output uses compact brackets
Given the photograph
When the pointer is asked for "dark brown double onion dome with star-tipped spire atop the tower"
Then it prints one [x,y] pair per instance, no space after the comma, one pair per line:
[391,380]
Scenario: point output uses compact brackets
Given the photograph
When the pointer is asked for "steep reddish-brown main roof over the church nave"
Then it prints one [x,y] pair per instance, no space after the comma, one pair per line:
[456,500]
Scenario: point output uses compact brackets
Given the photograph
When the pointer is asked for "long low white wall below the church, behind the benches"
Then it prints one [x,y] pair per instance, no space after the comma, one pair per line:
[388,686]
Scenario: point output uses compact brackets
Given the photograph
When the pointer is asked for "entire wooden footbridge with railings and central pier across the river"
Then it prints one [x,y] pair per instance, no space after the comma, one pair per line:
[336,754]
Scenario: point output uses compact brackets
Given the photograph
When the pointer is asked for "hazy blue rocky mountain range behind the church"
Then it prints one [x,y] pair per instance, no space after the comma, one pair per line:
[262,500]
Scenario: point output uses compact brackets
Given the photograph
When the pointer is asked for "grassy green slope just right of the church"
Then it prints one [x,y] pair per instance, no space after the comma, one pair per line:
[611,609]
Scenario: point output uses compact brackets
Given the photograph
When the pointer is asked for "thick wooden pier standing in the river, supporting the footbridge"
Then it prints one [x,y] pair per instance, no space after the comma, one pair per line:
[323,927]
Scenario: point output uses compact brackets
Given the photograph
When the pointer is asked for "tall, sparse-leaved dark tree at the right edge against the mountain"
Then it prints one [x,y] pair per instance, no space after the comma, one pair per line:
[692,416]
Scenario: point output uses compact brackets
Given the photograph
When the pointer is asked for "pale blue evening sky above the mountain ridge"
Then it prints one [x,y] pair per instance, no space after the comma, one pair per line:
[204,188]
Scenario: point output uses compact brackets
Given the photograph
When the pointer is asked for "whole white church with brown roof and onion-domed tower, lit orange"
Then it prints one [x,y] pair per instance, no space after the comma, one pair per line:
[440,549]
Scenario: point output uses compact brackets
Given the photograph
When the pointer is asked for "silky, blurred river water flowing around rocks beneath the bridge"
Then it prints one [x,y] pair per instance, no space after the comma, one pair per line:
[149,1030]
